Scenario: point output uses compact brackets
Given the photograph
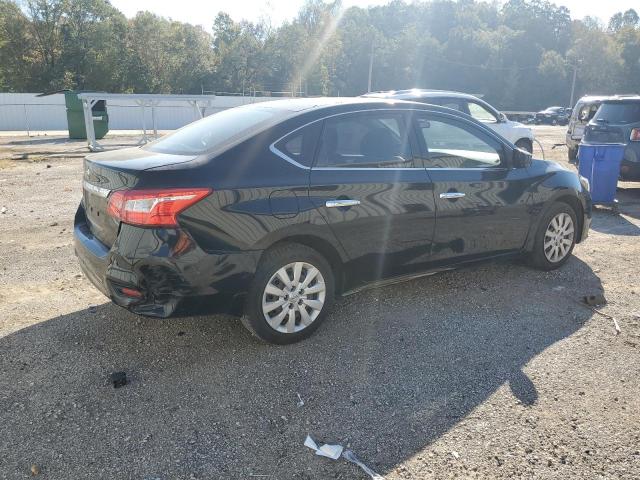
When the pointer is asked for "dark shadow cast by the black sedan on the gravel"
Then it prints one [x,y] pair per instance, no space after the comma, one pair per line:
[391,371]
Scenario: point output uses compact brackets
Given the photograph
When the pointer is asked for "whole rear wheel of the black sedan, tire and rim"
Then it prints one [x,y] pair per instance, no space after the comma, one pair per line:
[291,293]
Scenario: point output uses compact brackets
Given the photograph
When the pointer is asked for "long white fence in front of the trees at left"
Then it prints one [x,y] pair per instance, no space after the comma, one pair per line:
[27,112]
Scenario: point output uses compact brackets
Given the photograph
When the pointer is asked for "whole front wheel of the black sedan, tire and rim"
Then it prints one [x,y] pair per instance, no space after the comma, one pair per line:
[555,238]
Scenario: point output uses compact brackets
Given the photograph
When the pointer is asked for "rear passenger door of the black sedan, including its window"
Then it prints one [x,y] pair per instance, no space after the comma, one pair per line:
[378,202]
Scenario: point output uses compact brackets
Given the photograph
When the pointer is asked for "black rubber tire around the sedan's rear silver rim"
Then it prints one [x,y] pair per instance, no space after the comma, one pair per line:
[273,260]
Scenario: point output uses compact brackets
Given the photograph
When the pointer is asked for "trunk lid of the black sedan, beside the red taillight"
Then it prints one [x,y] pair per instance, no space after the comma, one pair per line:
[116,170]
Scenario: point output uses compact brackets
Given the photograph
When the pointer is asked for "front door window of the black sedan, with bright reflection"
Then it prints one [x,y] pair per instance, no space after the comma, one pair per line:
[451,146]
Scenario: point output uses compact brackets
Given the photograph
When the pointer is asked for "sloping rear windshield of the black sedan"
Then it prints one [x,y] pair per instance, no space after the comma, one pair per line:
[216,131]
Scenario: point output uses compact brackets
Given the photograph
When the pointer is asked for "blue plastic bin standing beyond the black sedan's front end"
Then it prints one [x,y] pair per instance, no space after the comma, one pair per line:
[600,164]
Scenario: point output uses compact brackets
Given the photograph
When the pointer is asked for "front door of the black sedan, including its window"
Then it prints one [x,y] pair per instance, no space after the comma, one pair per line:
[481,202]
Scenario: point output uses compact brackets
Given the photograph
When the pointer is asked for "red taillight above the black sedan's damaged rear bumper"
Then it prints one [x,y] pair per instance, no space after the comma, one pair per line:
[153,208]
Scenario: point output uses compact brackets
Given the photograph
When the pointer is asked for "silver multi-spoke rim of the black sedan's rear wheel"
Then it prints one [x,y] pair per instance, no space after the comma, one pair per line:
[293,297]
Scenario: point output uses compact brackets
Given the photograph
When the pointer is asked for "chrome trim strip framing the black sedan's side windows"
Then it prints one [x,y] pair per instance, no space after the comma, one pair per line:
[290,160]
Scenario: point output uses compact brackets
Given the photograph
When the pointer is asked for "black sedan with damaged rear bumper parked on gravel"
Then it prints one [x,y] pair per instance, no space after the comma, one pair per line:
[271,210]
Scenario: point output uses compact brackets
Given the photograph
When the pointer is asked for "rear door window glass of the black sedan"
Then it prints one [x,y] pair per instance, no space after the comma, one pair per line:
[368,140]
